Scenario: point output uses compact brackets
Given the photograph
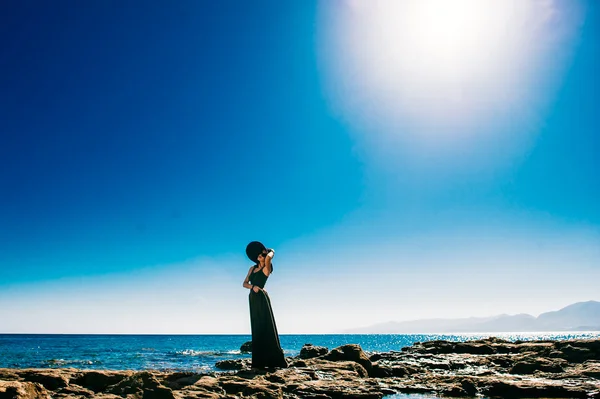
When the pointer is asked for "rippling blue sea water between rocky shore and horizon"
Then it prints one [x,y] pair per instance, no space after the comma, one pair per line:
[196,352]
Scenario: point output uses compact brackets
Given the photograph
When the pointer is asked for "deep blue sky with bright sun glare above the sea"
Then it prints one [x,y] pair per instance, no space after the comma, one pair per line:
[399,173]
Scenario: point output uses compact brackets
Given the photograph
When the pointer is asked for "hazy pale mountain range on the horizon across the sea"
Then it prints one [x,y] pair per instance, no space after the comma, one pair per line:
[581,316]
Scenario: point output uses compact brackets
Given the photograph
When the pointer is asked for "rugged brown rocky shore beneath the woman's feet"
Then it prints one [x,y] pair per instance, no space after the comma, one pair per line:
[486,368]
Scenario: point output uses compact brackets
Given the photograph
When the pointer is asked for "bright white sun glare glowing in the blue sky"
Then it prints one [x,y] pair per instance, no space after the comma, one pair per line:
[439,70]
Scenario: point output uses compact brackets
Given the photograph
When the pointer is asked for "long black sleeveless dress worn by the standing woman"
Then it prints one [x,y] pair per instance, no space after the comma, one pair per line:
[266,349]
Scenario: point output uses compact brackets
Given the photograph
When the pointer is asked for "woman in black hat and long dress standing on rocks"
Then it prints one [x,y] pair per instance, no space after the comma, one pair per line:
[266,349]
